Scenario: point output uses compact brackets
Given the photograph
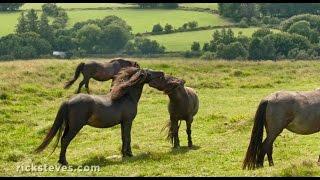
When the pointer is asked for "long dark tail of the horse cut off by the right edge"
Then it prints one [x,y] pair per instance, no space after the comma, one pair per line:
[254,149]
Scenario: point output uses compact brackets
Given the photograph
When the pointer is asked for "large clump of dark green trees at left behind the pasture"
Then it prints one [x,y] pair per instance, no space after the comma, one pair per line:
[35,37]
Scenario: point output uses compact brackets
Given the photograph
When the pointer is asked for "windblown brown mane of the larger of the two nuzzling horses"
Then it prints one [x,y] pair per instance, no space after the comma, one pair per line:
[126,78]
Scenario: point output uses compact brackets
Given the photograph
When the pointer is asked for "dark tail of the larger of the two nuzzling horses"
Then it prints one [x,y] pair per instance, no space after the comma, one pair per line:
[62,116]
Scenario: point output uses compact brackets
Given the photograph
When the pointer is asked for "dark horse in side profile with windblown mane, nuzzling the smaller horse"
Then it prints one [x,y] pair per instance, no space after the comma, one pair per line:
[119,106]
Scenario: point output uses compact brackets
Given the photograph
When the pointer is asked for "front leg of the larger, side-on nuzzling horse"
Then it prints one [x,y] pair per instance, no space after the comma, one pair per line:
[126,138]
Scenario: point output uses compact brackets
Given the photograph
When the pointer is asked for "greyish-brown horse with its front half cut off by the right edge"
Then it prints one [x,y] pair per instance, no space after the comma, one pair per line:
[299,112]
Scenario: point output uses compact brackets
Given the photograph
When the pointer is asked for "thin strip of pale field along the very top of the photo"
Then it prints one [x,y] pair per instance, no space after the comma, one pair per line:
[76,5]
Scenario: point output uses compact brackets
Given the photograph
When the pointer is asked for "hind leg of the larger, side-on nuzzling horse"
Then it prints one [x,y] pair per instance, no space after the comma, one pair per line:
[69,133]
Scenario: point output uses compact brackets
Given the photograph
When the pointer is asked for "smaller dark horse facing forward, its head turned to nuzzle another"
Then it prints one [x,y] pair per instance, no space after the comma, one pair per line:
[183,105]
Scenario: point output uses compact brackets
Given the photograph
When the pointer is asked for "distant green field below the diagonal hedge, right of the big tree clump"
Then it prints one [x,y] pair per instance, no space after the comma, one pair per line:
[183,41]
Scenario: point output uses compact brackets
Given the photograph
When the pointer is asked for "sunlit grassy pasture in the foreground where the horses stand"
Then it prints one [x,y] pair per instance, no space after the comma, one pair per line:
[229,92]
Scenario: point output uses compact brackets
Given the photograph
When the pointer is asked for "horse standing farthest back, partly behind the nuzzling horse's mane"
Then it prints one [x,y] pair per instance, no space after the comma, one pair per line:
[100,71]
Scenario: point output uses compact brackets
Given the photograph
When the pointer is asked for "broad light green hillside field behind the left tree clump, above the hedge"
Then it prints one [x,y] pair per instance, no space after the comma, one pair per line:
[140,20]
